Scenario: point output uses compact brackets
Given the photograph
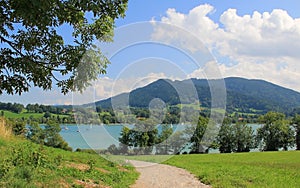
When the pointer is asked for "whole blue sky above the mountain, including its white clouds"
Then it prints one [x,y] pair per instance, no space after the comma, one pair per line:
[178,39]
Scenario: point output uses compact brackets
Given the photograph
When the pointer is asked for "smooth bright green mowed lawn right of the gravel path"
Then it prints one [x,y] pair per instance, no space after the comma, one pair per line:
[260,169]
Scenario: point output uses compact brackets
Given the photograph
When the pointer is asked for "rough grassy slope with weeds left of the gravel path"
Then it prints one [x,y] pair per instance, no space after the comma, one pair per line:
[24,164]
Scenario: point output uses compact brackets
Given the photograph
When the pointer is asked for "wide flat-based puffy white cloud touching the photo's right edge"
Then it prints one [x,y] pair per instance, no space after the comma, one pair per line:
[274,34]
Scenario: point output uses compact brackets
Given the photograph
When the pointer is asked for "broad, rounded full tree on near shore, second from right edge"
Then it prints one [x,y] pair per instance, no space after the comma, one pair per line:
[275,133]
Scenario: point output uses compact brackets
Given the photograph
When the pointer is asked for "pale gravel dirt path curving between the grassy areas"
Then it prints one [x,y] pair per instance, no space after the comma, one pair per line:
[163,176]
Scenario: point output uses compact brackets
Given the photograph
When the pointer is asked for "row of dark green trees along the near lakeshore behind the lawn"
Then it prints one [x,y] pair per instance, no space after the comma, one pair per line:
[275,133]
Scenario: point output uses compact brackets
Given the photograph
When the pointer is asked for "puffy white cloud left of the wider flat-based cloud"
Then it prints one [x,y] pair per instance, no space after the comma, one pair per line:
[195,23]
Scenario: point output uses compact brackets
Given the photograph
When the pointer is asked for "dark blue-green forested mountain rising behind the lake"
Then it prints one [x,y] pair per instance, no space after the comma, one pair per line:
[243,95]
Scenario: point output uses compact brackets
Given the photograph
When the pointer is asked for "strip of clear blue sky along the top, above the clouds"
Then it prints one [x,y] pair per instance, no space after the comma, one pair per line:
[146,9]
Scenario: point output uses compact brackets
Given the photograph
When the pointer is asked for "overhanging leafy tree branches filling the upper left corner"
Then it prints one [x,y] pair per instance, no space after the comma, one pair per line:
[34,53]
